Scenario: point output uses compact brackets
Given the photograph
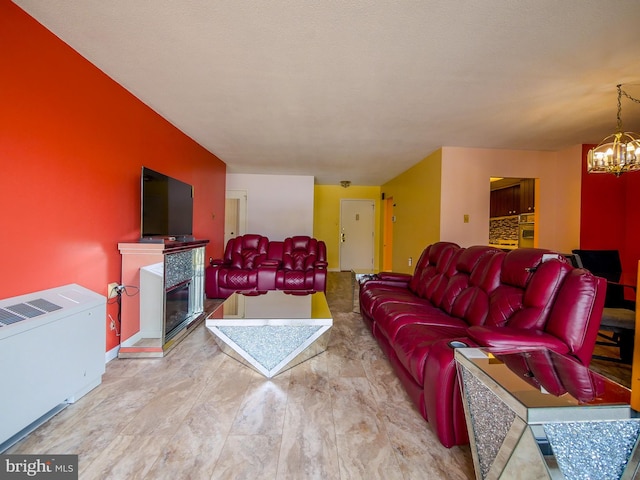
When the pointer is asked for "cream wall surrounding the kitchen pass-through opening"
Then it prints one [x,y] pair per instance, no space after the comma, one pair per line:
[465,190]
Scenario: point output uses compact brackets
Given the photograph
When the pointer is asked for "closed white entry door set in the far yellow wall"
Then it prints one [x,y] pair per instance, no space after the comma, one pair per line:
[356,234]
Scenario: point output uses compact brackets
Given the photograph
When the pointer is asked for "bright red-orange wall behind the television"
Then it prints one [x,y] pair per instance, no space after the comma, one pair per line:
[72,144]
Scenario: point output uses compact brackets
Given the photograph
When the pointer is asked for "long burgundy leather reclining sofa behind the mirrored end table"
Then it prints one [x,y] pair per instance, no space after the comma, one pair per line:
[480,296]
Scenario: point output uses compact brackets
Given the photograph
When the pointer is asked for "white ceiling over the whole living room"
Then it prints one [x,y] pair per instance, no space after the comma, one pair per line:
[362,90]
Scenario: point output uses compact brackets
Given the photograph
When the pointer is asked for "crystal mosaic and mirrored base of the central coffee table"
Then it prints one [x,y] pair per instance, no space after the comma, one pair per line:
[272,349]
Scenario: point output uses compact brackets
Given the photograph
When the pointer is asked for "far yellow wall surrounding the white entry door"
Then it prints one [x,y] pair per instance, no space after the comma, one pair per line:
[326,217]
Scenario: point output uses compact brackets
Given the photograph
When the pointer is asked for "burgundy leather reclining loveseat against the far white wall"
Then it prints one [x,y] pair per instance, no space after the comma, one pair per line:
[252,263]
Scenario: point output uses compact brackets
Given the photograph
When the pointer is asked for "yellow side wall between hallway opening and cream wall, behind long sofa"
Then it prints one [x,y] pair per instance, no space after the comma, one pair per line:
[416,196]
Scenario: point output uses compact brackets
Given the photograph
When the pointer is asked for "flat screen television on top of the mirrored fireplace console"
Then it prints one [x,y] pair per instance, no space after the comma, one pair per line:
[167,206]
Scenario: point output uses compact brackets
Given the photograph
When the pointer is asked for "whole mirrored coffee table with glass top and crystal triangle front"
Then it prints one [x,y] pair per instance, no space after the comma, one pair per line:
[274,331]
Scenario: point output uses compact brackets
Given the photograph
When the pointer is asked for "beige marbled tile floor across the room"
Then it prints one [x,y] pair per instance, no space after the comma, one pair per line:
[199,414]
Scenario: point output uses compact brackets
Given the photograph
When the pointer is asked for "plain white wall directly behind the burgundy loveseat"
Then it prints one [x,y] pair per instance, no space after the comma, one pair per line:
[278,206]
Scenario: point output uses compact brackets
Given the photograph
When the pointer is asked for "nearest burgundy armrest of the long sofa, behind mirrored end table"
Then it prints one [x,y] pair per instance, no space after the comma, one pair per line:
[506,337]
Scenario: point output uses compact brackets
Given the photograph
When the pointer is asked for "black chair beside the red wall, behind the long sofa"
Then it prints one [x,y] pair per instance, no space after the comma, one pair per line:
[618,316]
